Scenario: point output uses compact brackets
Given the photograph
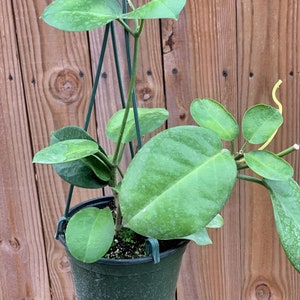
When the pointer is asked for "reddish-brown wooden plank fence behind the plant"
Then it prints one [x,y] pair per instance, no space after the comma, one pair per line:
[233,51]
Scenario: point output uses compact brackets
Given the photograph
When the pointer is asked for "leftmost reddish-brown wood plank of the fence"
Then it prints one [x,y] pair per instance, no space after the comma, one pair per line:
[23,271]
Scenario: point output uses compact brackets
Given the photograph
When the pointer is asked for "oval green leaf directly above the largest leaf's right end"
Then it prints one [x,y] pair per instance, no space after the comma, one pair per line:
[212,115]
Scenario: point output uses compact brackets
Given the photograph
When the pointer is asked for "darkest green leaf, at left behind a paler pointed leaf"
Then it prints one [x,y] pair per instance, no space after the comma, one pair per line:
[76,172]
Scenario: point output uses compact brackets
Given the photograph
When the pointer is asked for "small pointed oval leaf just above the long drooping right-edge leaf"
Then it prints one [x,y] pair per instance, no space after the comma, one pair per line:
[268,165]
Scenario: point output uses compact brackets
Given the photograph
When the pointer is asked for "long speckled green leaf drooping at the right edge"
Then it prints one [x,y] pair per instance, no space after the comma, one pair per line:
[285,197]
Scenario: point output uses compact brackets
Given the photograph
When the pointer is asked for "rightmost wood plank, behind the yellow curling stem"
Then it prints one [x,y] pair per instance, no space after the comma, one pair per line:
[268,41]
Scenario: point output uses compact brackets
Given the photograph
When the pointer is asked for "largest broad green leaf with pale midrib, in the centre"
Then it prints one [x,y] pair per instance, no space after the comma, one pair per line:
[174,187]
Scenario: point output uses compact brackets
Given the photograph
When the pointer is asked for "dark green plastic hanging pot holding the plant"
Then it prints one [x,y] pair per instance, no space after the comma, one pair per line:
[130,279]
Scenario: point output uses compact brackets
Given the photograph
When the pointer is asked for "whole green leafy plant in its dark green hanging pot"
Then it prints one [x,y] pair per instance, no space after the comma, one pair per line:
[176,184]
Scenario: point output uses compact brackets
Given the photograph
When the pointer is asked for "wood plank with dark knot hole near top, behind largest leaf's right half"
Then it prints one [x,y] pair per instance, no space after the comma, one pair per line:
[200,61]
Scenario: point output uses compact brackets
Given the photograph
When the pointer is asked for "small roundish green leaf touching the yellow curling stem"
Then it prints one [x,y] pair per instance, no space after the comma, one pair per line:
[260,122]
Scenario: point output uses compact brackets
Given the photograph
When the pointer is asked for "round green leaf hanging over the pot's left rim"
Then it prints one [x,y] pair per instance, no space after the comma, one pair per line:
[89,234]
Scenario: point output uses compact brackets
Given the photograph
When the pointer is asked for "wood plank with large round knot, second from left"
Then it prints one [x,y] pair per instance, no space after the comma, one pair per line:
[57,81]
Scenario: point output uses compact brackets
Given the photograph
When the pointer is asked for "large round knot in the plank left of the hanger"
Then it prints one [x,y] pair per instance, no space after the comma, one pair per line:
[66,86]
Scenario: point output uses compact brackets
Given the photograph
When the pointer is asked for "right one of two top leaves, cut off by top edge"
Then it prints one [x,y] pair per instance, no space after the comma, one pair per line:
[157,9]
